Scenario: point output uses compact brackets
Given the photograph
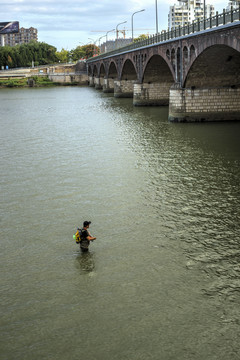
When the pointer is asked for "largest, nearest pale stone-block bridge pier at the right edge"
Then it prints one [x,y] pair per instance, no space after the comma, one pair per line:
[209,104]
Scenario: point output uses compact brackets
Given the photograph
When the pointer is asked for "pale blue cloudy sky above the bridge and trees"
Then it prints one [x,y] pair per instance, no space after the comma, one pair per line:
[69,23]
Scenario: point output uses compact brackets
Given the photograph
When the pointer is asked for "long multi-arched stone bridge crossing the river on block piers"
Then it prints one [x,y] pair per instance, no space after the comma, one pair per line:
[197,75]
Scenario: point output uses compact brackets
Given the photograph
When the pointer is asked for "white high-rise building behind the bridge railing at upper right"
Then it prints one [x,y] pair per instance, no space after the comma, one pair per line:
[188,11]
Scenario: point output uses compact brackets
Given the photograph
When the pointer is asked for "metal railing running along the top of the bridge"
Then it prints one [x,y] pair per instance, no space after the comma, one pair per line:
[196,26]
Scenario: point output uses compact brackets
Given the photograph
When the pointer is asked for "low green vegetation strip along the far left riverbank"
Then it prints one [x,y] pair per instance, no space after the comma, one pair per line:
[33,81]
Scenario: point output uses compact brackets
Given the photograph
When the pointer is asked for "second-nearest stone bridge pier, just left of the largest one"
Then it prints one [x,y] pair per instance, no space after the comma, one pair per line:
[151,94]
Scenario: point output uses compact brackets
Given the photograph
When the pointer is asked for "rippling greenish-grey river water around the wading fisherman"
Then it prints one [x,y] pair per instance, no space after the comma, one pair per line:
[162,280]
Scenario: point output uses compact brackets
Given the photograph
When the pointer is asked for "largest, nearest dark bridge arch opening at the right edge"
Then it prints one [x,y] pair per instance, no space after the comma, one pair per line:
[216,66]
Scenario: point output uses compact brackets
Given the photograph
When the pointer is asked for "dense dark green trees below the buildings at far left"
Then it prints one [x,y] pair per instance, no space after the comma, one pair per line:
[23,55]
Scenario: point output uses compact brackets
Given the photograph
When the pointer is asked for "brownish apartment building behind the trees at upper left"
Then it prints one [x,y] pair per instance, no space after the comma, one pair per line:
[24,36]
